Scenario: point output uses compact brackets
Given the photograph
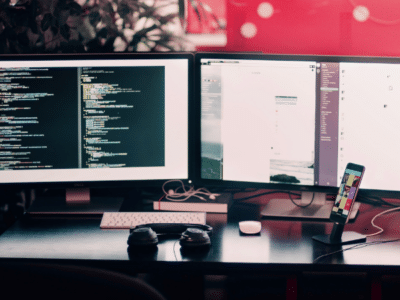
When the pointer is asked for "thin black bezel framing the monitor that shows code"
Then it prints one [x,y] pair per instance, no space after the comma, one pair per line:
[115,56]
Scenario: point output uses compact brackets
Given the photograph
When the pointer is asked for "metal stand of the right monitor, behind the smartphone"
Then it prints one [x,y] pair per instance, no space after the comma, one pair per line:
[320,208]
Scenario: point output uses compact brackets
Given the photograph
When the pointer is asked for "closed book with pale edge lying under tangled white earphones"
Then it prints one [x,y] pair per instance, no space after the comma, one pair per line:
[221,204]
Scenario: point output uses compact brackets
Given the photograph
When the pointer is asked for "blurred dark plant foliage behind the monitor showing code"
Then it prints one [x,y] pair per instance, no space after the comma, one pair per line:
[68,26]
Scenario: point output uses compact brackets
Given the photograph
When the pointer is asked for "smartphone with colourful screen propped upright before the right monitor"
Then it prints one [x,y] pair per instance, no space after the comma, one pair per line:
[347,193]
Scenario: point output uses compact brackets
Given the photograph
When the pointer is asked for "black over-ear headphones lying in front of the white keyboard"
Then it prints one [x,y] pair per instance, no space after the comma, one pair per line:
[192,236]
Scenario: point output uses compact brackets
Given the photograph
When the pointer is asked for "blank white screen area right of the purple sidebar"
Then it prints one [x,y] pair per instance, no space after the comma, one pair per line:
[369,121]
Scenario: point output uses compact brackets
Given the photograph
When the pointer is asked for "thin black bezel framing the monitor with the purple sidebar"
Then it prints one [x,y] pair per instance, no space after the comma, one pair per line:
[228,184]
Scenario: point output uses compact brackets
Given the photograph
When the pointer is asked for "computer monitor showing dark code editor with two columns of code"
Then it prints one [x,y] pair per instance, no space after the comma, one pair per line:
[86,121]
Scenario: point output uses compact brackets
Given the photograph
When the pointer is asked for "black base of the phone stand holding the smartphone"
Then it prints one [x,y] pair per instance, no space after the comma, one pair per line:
[338,237]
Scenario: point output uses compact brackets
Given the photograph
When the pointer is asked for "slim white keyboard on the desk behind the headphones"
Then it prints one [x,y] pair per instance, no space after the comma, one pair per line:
[126,220]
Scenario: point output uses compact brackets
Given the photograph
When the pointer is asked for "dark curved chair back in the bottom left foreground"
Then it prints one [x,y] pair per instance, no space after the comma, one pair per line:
[23,280]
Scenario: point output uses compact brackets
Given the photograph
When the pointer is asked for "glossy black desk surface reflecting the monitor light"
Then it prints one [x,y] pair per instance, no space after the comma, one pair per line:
[283,245]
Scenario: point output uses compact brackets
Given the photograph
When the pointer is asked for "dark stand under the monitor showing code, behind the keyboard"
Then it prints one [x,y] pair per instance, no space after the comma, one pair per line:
[77,201]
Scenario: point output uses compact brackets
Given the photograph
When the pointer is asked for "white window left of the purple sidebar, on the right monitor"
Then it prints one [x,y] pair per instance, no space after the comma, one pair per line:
[268,120]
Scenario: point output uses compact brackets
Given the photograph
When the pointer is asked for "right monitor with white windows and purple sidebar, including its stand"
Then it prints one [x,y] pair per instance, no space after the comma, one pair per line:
[293,123]
